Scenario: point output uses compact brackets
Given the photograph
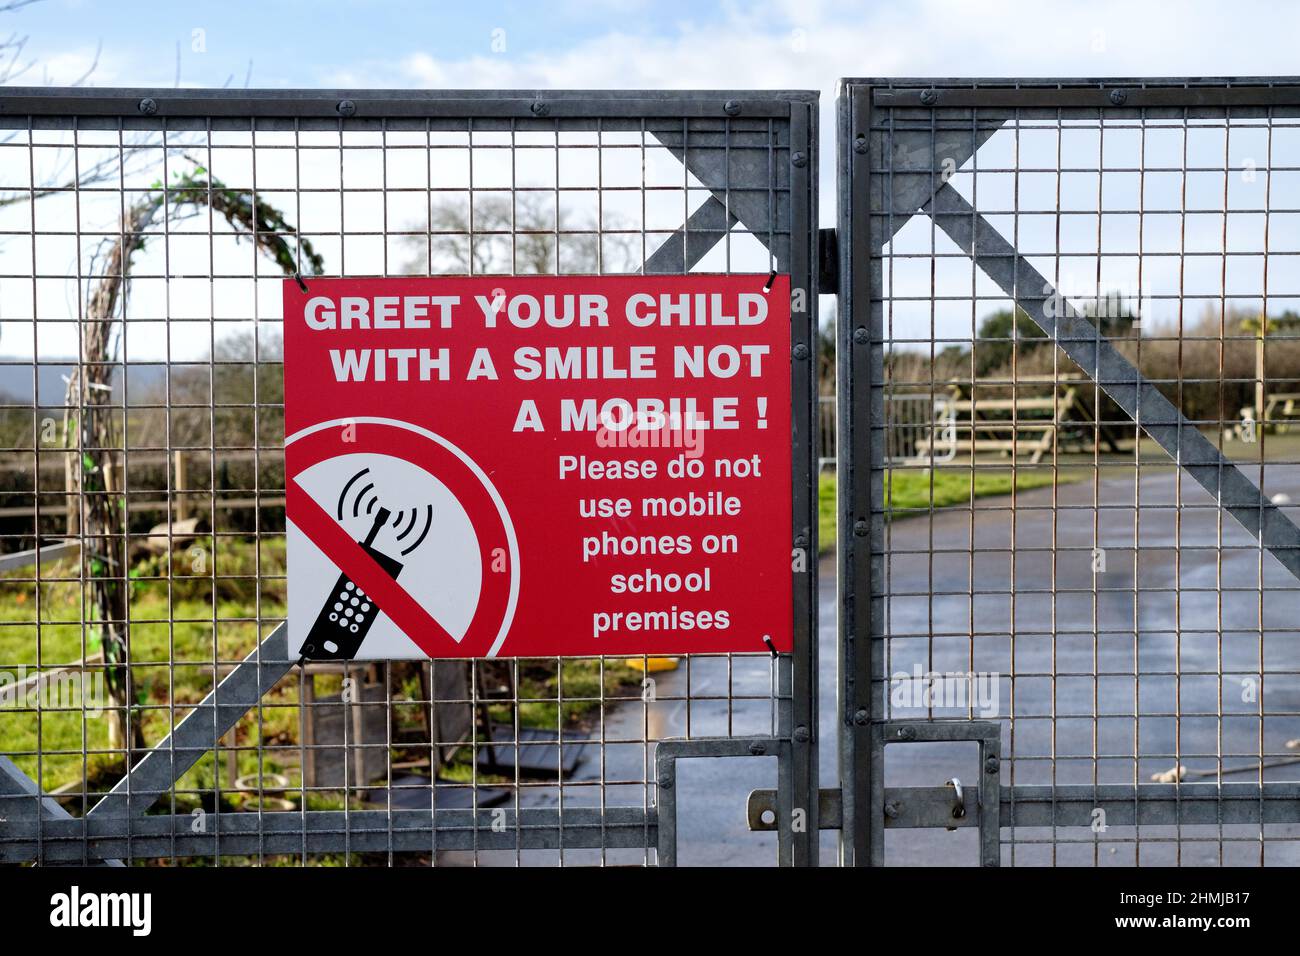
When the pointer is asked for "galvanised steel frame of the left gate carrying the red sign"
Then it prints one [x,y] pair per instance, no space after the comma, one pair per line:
[752,158]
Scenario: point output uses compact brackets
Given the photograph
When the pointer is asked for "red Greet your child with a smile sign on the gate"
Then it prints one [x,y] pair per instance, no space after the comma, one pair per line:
[539,466]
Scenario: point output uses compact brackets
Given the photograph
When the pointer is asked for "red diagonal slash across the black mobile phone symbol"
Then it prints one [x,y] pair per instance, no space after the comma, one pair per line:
[352,560]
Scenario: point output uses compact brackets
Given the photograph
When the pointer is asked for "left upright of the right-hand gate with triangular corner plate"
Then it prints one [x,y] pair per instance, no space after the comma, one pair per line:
[872,210]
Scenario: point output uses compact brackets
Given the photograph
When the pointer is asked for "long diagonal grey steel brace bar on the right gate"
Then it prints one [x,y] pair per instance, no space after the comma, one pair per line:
[1095,354]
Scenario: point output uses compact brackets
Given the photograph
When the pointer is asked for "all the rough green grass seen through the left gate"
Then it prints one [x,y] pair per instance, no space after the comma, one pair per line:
[187,612]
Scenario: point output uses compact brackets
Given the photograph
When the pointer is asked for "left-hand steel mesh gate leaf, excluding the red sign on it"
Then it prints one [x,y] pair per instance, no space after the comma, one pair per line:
[145,235]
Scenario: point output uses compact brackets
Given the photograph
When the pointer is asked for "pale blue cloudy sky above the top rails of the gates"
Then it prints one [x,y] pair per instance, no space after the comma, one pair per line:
[792,45]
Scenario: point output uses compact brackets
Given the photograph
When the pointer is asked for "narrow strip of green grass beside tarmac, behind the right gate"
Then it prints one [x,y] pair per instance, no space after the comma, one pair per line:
[917,492]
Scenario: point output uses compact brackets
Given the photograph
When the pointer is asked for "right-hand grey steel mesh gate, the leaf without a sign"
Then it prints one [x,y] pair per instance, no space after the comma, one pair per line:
[1102,572]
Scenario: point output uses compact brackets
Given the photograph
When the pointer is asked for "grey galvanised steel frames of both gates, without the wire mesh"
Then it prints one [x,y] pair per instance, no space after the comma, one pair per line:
[900,145]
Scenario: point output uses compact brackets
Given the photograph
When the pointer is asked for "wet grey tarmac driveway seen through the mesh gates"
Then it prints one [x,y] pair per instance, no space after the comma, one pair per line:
[1181,596]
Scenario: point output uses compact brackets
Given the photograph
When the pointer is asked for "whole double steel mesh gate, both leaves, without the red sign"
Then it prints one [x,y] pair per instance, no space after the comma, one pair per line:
[1067,602]
